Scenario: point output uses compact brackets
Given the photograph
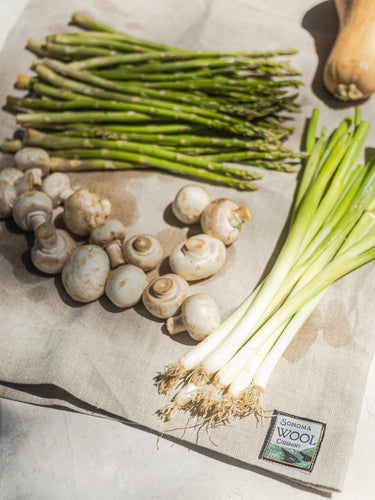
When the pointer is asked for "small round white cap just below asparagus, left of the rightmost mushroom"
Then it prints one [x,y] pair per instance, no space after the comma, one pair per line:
[190,202]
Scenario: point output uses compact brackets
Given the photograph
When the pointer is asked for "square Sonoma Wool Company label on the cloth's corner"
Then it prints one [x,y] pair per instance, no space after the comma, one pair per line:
[293,441]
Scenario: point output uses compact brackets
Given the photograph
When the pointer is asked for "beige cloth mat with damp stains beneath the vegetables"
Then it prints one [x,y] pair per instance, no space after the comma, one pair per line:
[94,358]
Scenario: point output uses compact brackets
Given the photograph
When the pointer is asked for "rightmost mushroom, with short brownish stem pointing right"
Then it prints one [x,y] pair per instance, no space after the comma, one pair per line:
[223,219]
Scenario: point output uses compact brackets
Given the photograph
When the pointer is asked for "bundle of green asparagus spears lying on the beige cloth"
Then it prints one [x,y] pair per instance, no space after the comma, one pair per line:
[102,99]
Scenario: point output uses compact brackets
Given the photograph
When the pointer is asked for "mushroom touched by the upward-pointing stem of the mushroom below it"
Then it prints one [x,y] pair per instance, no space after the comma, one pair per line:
[31,204]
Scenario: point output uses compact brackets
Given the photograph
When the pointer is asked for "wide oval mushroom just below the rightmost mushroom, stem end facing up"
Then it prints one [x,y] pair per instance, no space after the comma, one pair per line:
[198,257]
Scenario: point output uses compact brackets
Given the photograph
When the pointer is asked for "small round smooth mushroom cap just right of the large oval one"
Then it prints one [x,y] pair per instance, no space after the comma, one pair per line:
[125,285]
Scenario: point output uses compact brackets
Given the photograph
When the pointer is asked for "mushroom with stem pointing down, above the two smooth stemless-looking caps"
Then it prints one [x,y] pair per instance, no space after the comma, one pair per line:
[110,235]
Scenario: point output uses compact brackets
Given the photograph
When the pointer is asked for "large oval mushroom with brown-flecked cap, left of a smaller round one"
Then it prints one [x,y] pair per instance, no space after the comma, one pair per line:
[85,273]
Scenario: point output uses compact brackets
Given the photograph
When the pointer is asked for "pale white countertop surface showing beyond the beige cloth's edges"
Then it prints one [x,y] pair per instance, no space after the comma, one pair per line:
[51,453]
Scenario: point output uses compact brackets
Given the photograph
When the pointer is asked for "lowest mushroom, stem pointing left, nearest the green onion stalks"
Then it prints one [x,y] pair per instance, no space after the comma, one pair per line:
[199,317]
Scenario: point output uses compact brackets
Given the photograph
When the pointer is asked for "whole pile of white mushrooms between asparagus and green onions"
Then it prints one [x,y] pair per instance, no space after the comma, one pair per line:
[109,263]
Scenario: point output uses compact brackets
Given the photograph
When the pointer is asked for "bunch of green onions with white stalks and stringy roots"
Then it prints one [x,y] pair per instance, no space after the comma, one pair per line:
[332,233]
